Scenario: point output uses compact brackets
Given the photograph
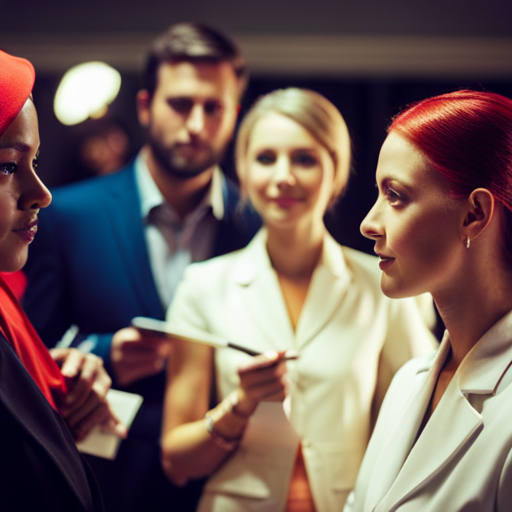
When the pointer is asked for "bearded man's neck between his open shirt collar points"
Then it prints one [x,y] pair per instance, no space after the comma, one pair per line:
[184,195]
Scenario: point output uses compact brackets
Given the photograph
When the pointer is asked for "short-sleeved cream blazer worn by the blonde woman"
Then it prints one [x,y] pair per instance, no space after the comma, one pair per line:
[350,338]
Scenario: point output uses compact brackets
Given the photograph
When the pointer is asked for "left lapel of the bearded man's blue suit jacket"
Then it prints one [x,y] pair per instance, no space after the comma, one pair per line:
[128,230]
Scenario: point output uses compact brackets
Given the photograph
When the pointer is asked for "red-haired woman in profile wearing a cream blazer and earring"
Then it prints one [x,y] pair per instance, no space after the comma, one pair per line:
[442,224]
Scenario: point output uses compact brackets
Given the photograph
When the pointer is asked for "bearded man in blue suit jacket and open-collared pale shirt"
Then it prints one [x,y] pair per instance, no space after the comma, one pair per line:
[115,247]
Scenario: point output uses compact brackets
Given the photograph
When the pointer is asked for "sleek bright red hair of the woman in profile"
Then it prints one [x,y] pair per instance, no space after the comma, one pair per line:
[467,137]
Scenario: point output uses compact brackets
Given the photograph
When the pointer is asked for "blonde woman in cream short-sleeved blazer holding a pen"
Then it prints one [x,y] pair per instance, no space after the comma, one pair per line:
[293,287]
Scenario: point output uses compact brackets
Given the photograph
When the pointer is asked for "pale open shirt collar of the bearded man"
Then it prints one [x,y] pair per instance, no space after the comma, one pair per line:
[150,195]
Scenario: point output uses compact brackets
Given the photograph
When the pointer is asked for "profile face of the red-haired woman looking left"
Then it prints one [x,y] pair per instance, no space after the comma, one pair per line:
[414,222]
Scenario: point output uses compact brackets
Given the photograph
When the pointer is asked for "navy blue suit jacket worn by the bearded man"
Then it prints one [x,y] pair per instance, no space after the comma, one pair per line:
[89,266]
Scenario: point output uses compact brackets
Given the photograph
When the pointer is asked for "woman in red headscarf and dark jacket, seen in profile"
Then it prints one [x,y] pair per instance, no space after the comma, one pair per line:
[40,467]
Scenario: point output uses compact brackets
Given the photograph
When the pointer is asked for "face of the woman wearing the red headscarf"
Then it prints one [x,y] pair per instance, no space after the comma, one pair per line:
[22,193]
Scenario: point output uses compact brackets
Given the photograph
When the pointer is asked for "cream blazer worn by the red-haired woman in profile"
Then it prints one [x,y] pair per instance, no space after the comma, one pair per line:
[462,461]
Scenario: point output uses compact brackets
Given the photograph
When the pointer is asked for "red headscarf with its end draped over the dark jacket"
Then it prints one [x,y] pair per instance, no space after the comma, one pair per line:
[17,78]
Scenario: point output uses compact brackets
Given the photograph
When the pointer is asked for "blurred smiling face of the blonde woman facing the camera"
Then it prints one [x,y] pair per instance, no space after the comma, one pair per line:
[289,175]
